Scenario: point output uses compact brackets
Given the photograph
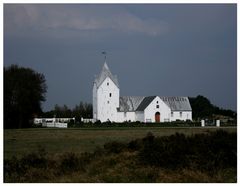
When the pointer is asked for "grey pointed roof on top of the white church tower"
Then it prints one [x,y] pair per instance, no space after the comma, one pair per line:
[104,74]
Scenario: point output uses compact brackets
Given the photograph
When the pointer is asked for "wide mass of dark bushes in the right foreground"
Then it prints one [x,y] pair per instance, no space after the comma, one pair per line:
[205,152]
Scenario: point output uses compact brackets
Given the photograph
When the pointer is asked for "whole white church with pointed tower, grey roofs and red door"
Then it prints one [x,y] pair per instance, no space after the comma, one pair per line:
[108,105]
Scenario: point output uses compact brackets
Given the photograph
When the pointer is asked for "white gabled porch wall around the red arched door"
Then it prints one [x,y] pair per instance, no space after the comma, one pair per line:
[164,110]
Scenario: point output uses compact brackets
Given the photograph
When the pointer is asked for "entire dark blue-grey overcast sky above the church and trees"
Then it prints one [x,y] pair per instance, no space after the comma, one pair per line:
[160,49]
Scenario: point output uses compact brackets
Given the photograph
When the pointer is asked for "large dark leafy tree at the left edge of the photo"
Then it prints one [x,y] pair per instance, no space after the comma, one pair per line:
[24,90]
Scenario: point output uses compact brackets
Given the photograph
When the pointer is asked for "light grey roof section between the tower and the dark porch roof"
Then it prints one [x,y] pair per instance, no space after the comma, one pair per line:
[129,103]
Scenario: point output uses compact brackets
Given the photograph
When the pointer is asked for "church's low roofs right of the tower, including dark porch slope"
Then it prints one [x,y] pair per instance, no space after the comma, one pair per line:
[139,103]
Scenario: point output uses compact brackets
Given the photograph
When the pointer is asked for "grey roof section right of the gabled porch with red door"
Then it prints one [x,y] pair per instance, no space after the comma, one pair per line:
[177,103]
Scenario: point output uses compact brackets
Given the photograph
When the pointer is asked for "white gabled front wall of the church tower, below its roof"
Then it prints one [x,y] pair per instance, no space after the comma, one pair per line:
[107,101]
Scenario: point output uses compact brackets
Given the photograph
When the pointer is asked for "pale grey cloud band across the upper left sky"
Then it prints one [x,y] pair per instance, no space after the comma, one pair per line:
[85,18]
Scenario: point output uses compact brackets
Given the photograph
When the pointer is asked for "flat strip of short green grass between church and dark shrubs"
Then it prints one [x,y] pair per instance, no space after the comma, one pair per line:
[18,142]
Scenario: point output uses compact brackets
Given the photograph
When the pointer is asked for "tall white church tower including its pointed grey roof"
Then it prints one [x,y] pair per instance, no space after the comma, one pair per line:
[105,96]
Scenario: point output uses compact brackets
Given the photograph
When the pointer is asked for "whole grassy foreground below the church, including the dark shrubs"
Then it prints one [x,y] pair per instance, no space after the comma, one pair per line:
[126,155]
